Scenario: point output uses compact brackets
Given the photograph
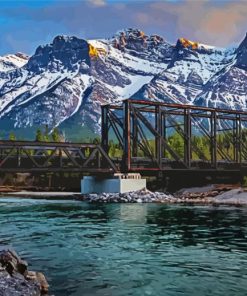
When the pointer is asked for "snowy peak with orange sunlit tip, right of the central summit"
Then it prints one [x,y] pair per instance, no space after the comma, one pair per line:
[191,67]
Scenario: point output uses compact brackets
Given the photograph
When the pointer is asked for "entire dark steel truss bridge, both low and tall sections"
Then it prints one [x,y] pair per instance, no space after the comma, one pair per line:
[149,137]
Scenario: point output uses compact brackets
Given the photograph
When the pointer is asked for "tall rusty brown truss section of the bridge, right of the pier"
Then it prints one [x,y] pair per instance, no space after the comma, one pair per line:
[207,138]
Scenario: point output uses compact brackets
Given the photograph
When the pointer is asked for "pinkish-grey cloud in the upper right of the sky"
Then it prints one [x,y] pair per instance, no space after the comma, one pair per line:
[217,22]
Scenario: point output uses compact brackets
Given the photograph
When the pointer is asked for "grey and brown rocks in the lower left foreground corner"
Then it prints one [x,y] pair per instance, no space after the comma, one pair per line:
[17,280]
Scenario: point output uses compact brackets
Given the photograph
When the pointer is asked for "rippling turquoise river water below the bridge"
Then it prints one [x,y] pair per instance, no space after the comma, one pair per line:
[137,249]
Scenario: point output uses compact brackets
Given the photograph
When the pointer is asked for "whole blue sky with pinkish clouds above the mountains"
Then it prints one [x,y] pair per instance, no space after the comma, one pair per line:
[27,24]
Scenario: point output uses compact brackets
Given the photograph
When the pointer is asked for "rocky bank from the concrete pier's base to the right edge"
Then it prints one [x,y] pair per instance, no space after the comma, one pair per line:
[212,194]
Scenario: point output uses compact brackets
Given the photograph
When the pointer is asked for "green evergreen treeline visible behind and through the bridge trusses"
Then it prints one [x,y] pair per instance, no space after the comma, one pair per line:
[200,145]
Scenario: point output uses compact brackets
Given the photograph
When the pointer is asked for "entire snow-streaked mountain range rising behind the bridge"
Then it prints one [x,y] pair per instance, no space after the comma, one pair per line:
[64,83]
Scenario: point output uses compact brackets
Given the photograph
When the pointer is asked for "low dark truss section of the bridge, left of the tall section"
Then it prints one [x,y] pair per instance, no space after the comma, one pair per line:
[27,156]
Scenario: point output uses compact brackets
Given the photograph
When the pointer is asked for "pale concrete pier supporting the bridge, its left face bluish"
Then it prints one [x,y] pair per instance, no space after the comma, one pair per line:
[119,183]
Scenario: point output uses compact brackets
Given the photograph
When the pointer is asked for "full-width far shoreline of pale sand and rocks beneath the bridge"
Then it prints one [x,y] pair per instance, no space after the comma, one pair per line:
[210,194]
